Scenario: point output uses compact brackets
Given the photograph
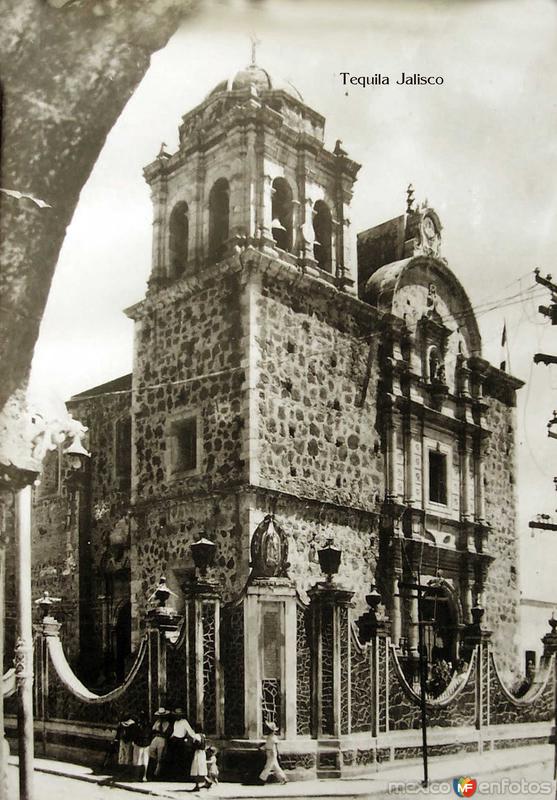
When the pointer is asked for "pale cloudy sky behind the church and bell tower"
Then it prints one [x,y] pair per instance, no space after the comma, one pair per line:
[482,148]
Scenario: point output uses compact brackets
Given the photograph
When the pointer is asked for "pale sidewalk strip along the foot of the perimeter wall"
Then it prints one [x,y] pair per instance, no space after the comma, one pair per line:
[371,784]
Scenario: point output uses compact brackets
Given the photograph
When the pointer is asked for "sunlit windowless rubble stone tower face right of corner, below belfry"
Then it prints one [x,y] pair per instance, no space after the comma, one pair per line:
[318,376]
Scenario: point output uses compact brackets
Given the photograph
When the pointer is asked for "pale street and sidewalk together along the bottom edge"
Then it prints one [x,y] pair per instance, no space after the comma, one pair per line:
[517,773]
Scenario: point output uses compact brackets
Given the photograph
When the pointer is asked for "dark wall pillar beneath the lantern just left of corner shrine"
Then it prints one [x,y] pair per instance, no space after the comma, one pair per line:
[205,700]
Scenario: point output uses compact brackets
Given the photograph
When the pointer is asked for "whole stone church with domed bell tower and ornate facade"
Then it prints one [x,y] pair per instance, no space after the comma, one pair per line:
[294,386]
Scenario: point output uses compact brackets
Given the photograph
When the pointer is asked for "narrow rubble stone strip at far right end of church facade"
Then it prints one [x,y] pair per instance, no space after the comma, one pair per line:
[501,598]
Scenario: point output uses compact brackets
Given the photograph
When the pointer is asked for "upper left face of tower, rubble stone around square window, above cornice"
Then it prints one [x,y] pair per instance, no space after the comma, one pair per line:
[188,362]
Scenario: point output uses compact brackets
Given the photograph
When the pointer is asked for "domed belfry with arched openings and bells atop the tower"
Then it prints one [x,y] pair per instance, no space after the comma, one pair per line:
[252,168]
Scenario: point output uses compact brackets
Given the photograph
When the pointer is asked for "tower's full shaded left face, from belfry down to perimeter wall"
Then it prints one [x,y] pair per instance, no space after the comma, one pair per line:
[190,358]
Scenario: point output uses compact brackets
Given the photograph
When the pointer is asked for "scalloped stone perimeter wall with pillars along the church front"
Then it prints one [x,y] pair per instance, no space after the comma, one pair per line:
[372,715]
